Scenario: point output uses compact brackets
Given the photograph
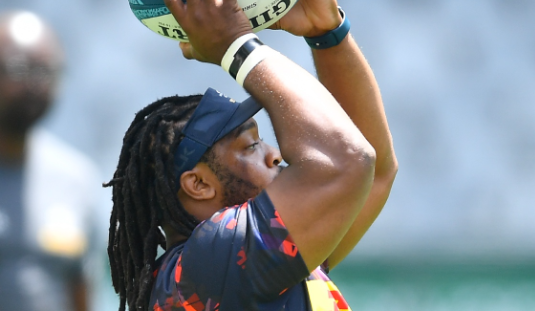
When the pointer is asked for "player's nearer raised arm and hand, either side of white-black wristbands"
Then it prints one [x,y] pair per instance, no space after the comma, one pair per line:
[331,164]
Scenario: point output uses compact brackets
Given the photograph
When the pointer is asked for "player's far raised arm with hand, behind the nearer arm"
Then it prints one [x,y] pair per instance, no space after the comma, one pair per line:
[344,71]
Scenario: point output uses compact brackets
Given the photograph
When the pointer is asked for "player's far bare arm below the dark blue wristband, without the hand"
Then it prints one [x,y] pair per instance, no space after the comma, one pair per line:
[346,74]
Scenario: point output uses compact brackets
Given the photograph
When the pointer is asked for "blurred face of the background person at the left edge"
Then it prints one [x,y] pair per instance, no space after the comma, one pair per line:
[29,73]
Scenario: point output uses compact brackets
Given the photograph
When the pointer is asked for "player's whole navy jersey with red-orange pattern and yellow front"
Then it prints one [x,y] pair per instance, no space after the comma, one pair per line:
[241,259]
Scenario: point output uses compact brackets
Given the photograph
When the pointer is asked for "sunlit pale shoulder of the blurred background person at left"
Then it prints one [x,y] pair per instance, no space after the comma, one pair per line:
[57,175]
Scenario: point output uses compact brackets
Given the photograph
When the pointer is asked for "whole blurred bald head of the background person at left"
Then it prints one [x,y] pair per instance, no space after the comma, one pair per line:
[31,58]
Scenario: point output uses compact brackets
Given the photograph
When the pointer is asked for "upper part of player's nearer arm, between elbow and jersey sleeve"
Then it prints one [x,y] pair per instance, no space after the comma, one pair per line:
[317,213]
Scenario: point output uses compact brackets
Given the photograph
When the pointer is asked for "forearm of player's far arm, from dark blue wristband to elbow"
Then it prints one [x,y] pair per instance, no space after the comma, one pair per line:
[344,71]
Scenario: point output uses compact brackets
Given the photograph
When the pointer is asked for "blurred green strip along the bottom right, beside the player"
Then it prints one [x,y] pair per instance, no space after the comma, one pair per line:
[434,286]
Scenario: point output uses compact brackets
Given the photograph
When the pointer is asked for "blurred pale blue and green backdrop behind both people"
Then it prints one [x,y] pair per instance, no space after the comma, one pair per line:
[458,83]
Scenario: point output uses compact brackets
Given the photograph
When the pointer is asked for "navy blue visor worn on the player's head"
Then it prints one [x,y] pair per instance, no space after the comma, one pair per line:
[215,116]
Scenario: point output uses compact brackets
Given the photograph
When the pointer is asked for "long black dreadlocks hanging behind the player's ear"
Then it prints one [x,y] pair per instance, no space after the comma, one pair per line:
[144,193]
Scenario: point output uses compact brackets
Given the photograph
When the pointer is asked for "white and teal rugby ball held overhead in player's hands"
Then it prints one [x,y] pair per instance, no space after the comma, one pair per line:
[155,15]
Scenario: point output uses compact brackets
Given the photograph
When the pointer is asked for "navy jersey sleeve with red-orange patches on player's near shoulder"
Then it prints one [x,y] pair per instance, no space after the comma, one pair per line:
[245,250]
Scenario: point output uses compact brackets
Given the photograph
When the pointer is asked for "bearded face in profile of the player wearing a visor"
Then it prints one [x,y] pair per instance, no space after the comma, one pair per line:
[244,164]
